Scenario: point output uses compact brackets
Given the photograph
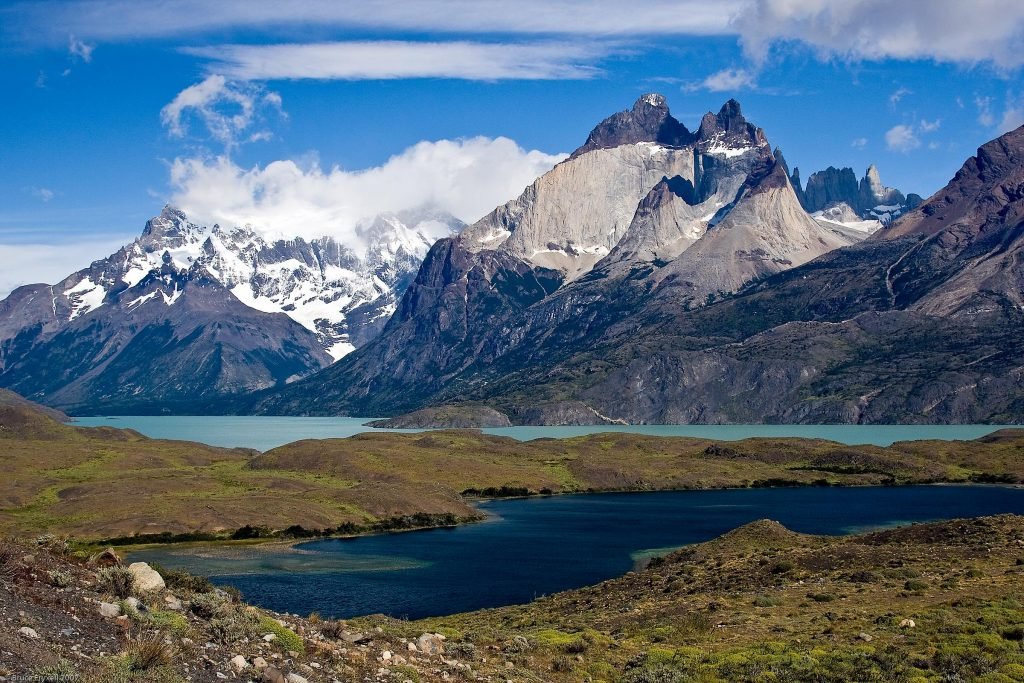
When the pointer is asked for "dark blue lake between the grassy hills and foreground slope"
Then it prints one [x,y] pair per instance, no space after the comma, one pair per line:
[538,546]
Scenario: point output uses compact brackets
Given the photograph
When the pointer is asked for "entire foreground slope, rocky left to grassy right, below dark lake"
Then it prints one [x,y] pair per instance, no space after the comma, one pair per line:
[922,604]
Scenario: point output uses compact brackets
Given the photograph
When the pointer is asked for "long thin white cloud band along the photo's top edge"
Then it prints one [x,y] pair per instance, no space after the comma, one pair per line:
[127,20]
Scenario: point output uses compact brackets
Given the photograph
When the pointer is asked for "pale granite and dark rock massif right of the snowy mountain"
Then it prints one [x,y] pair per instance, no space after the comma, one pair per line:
[660,276]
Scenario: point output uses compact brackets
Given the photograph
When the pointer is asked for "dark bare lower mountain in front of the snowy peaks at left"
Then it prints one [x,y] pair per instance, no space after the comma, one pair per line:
[139,353]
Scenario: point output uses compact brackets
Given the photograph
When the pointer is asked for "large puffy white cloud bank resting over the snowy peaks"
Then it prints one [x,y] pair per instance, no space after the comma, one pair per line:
[467,178]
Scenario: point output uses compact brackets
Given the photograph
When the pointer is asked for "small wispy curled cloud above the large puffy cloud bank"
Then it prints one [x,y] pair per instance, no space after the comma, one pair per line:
[226,109]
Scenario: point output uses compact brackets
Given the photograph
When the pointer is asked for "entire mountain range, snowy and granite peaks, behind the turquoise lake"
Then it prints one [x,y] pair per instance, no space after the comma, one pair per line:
[658,275]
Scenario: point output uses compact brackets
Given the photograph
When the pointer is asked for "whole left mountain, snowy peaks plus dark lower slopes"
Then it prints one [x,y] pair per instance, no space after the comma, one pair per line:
[251,313]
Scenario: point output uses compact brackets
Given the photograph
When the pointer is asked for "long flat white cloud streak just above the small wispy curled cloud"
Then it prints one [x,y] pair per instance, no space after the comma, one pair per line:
[394,60]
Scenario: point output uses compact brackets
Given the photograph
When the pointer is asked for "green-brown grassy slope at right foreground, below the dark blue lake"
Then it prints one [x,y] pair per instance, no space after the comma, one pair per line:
[927,603]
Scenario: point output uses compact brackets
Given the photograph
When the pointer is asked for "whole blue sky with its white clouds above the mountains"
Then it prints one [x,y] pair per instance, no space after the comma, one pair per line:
[115,108]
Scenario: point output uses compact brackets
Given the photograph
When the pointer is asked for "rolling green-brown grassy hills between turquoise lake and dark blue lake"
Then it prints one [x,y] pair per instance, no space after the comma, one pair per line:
[103,483]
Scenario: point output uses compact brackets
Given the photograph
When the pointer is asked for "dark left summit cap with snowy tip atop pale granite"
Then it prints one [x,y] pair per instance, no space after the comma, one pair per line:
[648,121]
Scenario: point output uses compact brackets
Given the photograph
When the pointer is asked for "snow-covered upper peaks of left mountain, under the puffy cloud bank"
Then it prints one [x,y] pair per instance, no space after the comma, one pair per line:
[344,293]
